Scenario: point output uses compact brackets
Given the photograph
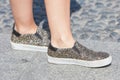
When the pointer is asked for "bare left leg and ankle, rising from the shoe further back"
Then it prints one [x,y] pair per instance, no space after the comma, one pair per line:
[23,16]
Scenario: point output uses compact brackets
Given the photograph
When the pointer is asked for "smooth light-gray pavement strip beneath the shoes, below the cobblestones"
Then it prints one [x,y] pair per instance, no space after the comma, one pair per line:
[25,65]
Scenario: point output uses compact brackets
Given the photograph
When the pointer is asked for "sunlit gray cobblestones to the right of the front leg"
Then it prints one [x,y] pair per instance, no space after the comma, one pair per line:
[98,20]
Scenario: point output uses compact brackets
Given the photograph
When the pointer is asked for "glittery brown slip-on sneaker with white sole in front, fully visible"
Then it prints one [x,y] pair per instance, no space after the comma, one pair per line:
[78,55]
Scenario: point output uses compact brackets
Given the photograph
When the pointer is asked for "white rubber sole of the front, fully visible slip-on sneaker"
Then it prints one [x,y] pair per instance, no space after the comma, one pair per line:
[97,63]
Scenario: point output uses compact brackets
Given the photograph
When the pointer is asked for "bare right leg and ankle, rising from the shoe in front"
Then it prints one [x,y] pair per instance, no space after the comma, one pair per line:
[58,12]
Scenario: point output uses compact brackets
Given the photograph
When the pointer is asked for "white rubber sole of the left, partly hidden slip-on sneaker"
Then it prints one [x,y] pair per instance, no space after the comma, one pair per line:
[28,47]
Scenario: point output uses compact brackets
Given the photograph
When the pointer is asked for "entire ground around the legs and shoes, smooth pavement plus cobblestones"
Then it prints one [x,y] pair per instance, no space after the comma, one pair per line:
[96,25]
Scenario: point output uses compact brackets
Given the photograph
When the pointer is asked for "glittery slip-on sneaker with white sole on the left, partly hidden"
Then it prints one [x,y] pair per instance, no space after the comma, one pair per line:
[33,42]
